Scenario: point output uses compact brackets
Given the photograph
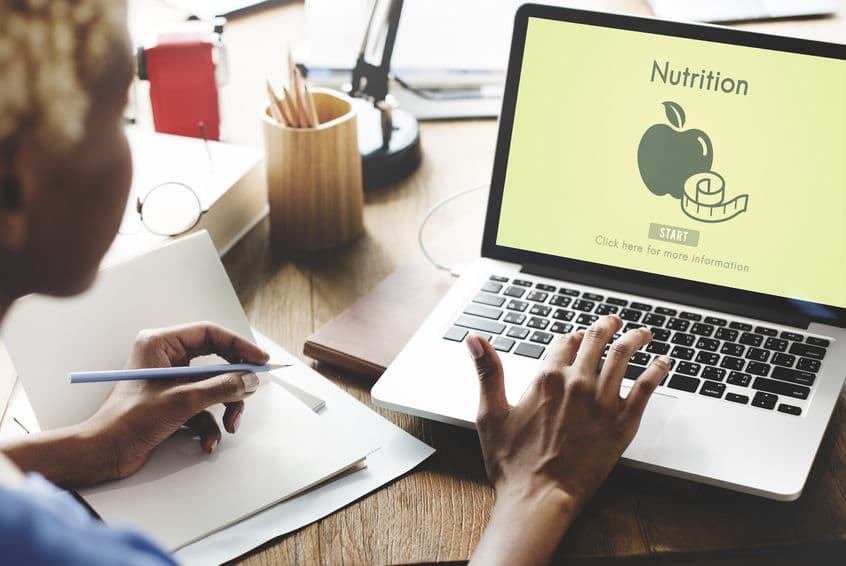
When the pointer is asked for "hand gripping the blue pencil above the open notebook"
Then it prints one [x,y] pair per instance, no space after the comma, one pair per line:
[139,415]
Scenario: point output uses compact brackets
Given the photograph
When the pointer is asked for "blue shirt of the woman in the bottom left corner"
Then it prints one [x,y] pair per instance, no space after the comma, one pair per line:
[41,524]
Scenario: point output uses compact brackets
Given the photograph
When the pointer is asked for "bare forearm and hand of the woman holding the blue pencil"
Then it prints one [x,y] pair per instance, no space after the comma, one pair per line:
[139,415]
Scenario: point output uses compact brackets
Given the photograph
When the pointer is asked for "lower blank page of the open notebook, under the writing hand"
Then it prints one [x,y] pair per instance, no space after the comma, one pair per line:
[281,448]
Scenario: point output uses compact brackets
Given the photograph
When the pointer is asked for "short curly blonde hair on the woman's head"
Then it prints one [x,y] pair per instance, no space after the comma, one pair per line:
[51,52]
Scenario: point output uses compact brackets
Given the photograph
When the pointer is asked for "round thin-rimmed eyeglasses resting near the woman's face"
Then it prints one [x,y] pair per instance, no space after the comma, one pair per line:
[169,209]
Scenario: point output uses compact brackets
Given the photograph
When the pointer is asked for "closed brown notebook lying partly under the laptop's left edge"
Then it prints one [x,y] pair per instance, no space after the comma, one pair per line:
[365,338]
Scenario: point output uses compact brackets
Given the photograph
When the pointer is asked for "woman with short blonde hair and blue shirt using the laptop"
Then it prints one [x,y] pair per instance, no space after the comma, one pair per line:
[65,172]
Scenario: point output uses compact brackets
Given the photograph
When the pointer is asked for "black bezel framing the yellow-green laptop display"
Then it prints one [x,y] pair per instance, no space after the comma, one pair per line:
[698,294]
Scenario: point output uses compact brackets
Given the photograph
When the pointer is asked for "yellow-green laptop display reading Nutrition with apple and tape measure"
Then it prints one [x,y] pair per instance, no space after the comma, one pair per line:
[709,162]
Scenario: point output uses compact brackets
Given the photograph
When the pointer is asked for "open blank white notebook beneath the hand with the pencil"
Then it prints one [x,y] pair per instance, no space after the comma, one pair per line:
[181,495]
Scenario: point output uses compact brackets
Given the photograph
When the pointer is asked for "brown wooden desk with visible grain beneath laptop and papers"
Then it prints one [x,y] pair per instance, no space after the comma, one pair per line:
[437,512]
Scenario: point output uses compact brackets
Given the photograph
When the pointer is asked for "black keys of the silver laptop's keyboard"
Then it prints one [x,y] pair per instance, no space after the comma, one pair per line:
[735,361]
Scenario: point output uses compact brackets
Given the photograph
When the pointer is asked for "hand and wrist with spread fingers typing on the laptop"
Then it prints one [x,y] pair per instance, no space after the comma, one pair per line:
[547,455]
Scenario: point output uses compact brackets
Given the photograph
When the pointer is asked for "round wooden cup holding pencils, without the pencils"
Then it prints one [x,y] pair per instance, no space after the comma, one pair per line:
[314,182]
